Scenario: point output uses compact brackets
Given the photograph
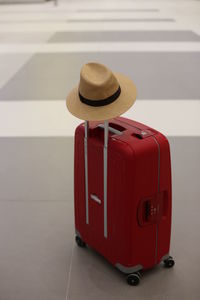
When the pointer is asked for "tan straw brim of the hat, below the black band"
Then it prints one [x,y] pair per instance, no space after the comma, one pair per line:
[106,112]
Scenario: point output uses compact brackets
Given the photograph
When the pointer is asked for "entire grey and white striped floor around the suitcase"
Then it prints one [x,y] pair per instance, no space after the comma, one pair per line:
[42,47]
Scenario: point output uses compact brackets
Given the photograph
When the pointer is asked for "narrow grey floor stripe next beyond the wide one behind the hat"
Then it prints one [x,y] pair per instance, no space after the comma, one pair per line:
[136,36]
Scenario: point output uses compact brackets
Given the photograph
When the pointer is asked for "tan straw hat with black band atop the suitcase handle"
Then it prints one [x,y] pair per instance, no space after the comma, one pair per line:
[101,94]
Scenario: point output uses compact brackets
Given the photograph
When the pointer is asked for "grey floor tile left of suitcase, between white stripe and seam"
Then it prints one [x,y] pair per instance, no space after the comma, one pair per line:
[33,174]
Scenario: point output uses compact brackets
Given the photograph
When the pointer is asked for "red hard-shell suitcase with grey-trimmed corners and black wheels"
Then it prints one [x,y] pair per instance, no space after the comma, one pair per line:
[122,191]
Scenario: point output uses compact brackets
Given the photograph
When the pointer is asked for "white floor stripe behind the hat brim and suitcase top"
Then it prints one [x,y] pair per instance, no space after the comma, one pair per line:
[51,118]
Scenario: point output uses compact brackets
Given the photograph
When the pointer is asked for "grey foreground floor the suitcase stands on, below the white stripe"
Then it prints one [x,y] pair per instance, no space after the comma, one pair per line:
[39,258]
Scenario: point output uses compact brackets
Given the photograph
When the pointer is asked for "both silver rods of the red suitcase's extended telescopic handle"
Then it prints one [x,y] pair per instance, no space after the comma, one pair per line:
[105,162]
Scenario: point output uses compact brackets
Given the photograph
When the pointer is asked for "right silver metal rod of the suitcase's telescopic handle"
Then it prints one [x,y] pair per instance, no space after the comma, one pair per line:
[105,176]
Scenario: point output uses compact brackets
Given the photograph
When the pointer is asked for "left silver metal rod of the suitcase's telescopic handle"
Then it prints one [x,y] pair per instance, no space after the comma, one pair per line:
[86,170]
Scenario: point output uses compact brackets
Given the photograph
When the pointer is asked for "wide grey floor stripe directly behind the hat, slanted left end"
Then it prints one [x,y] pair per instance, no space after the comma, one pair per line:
[157,75]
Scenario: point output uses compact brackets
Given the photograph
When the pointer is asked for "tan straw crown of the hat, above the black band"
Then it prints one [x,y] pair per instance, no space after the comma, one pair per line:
[97,82]
